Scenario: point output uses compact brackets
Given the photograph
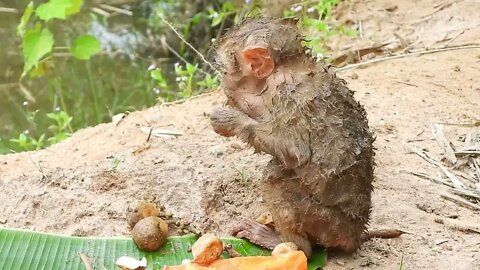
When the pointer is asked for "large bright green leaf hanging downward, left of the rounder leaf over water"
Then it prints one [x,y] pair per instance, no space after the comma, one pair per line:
[35,45]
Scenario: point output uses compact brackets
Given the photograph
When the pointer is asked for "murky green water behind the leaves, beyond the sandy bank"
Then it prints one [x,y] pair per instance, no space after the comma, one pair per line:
[90,91]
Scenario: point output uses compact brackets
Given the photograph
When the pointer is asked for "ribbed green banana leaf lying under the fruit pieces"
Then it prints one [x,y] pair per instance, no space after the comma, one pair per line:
[28,250]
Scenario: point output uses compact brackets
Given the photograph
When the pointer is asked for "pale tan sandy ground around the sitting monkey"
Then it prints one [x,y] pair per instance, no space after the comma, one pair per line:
[74,187]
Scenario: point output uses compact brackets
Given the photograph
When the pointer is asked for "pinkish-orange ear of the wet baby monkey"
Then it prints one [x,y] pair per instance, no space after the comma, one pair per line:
[259,61]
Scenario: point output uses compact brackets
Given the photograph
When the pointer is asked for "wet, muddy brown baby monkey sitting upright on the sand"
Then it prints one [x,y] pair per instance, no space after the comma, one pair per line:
[283,102]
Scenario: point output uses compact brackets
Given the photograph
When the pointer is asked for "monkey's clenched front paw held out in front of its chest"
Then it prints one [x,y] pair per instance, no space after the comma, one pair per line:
[226,121]
